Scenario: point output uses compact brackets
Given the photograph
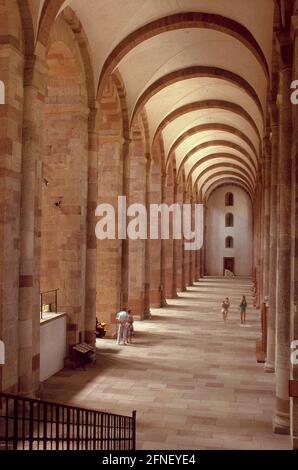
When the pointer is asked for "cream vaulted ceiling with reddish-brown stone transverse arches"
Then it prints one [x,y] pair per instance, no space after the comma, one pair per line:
[200,69]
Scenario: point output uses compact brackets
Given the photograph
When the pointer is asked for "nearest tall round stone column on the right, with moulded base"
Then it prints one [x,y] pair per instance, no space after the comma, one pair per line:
[282,411]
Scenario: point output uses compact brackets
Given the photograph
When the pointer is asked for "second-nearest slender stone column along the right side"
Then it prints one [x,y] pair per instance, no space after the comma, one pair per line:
[270,360]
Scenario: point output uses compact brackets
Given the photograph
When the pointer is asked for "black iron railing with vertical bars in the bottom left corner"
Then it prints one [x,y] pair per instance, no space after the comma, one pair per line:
[29,424]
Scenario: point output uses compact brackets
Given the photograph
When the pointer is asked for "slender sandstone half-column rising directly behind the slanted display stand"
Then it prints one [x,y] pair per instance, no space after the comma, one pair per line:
[91,245]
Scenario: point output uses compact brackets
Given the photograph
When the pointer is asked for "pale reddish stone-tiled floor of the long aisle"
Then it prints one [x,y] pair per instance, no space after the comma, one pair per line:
[194,381]
